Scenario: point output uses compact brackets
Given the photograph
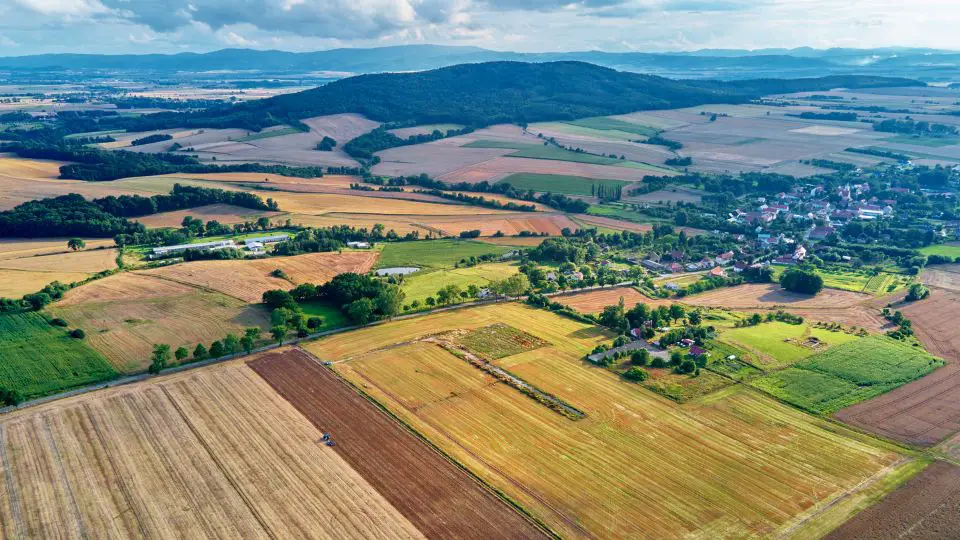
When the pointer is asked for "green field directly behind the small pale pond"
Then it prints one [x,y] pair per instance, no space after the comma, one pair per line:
[434,253]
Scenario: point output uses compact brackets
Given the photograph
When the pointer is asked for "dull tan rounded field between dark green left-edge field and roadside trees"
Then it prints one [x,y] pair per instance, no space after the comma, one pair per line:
[124,315]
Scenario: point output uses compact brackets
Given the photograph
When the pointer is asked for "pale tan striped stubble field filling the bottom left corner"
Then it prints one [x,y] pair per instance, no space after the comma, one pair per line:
[212,453]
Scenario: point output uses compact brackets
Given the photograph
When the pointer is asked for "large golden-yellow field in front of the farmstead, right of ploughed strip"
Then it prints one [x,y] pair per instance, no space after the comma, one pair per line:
[570,474]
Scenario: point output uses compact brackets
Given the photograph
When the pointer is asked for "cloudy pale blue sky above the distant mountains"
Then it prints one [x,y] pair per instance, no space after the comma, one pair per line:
[168,26]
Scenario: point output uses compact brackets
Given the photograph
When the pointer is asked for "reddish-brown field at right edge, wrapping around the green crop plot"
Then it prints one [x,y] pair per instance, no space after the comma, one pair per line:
[927,410]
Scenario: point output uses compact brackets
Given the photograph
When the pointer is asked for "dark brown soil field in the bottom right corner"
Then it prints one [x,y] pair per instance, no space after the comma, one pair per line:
[927,506]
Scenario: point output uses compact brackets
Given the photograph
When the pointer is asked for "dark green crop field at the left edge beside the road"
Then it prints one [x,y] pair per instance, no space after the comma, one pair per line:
[39,359]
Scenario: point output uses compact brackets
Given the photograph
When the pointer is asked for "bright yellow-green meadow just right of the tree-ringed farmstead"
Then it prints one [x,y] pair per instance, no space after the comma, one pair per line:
[776,344]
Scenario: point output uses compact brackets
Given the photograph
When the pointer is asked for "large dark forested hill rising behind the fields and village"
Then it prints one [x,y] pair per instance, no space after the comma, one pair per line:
[498,92]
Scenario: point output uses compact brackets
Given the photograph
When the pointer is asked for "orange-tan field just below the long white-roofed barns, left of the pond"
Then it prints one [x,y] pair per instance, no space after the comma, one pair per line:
[247,280]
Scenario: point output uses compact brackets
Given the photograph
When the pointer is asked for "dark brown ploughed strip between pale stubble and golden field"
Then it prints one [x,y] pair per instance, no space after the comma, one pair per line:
[440,499]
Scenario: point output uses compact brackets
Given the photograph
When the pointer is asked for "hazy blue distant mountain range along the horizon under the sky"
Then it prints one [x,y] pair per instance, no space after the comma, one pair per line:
[926,64]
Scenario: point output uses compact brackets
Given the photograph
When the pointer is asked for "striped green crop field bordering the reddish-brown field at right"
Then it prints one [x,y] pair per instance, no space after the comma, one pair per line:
[848,374]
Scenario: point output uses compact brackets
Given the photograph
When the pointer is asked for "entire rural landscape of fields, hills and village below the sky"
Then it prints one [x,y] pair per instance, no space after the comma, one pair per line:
[364,293]
